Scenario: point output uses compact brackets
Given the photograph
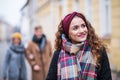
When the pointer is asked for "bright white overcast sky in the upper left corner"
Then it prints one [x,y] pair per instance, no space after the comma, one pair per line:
[10,10]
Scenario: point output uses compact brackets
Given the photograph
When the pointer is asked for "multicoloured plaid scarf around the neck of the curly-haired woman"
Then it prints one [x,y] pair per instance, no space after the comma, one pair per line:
[76,62]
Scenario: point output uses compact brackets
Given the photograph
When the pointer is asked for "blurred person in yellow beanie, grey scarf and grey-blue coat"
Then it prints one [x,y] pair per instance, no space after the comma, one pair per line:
[14,64]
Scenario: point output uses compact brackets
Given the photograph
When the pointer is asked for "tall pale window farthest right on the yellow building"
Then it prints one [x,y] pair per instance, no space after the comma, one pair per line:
[105,20]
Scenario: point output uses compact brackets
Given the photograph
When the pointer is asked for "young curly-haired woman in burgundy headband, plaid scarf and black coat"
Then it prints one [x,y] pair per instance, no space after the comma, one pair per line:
[79,55]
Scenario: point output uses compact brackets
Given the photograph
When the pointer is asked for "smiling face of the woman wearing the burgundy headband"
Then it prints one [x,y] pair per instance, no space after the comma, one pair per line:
[78,30]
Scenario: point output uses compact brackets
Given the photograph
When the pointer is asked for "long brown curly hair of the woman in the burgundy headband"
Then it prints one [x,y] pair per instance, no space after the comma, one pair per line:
[94,40]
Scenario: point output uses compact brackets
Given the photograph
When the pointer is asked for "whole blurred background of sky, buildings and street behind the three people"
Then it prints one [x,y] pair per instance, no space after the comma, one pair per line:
[23,15]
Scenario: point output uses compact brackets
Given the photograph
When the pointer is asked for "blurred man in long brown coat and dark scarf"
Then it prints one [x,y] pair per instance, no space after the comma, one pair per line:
[39,54]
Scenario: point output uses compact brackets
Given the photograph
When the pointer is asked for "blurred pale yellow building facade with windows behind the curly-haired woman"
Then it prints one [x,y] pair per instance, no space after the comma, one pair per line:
[104,15]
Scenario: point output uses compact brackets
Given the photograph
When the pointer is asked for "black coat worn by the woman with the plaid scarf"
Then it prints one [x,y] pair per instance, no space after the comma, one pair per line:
[103,73]
